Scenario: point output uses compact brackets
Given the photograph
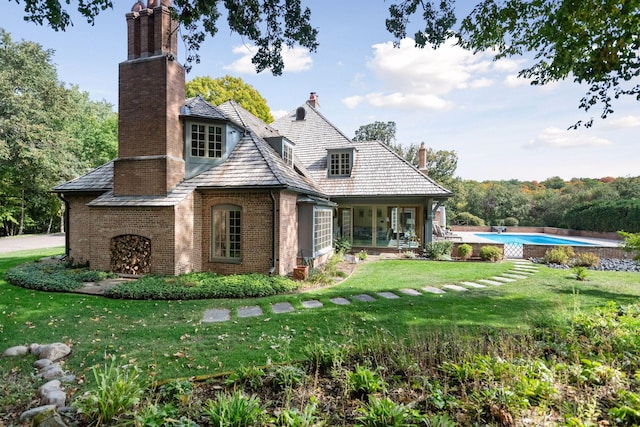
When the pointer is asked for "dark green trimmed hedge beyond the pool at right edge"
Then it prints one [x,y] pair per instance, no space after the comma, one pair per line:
[605,216]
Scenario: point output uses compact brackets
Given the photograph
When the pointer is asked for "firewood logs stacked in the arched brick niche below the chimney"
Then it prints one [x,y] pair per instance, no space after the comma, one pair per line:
[130,254]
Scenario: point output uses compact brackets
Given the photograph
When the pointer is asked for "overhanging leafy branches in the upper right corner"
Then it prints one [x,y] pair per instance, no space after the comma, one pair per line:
[594,42]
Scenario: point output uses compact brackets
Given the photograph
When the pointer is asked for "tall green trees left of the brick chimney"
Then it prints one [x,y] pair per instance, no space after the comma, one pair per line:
[49,133]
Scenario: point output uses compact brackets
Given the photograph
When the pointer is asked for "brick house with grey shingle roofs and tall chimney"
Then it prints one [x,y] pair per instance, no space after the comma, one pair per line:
[198,187]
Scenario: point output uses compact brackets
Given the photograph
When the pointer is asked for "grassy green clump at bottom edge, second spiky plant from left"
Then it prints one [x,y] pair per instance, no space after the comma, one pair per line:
[234,410]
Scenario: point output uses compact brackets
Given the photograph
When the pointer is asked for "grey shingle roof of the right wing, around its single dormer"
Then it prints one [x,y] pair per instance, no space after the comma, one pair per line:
[377,170]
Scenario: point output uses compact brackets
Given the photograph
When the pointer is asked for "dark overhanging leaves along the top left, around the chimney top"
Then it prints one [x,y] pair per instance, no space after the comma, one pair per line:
[270,24]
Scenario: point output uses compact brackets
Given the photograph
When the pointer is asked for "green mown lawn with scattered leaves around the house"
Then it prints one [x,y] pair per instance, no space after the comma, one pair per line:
[168,339]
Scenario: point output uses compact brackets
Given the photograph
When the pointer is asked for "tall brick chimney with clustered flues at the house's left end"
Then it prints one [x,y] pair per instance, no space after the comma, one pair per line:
[151,91]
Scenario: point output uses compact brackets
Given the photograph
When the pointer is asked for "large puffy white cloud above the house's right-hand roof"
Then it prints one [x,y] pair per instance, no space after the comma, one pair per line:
[422,78]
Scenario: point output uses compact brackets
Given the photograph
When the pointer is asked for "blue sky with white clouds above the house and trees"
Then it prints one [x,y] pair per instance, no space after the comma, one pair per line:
[500,126]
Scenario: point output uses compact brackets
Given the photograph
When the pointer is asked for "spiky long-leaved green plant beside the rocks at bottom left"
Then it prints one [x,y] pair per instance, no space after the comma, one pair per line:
[117,391]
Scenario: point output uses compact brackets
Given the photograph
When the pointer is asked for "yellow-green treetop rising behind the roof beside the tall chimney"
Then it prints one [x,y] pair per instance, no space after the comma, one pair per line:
[217,91]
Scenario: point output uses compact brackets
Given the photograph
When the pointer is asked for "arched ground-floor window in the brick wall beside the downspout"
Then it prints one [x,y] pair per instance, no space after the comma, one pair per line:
[226,232]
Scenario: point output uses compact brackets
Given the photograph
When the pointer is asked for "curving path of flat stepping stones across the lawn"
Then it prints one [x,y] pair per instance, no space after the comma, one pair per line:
[521,270]
